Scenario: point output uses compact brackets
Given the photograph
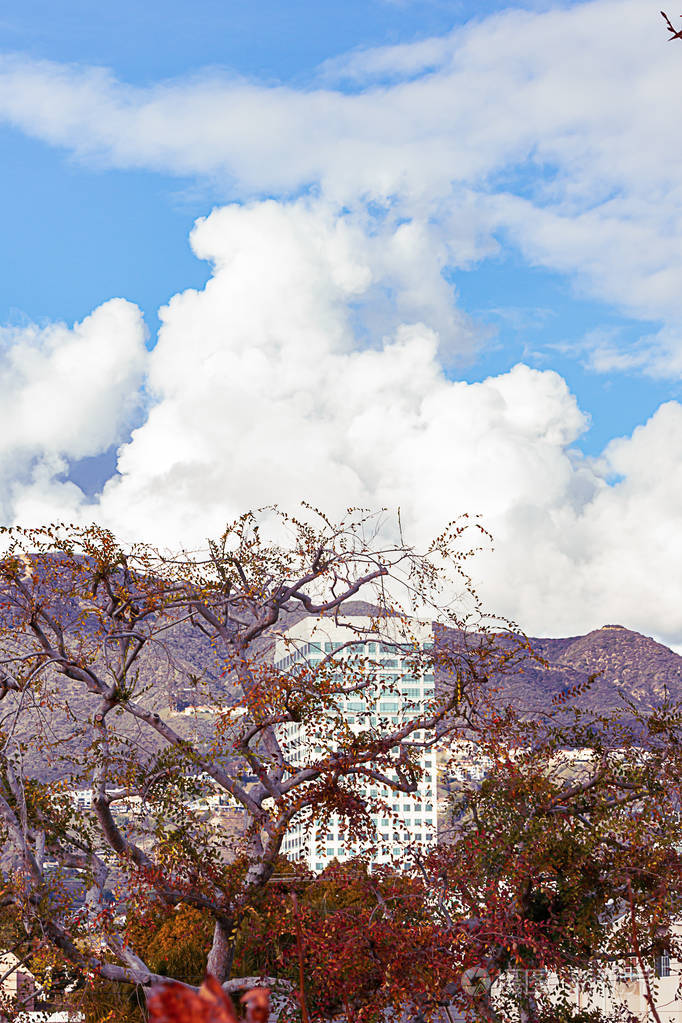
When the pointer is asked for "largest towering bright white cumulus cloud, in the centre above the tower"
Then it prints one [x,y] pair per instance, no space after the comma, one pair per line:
[265,392]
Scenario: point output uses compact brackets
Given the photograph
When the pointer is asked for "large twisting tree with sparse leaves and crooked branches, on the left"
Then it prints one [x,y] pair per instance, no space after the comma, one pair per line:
[80,613]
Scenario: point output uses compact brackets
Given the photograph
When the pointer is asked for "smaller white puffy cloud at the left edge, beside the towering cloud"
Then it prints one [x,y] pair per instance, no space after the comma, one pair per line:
[66,394]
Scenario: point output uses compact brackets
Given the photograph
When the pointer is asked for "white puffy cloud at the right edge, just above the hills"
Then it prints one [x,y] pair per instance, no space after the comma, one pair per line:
[615,555]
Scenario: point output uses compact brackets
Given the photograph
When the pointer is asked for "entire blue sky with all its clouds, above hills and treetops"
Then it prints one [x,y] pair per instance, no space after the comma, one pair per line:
[493,180]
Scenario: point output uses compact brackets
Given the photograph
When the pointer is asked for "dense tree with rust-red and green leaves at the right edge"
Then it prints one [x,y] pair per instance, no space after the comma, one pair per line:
[567,858]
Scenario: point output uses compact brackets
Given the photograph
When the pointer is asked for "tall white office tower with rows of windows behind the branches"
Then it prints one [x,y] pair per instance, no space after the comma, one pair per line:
[394,695]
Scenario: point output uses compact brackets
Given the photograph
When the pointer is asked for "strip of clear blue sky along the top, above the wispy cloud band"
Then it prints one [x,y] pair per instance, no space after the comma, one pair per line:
[265,39]
